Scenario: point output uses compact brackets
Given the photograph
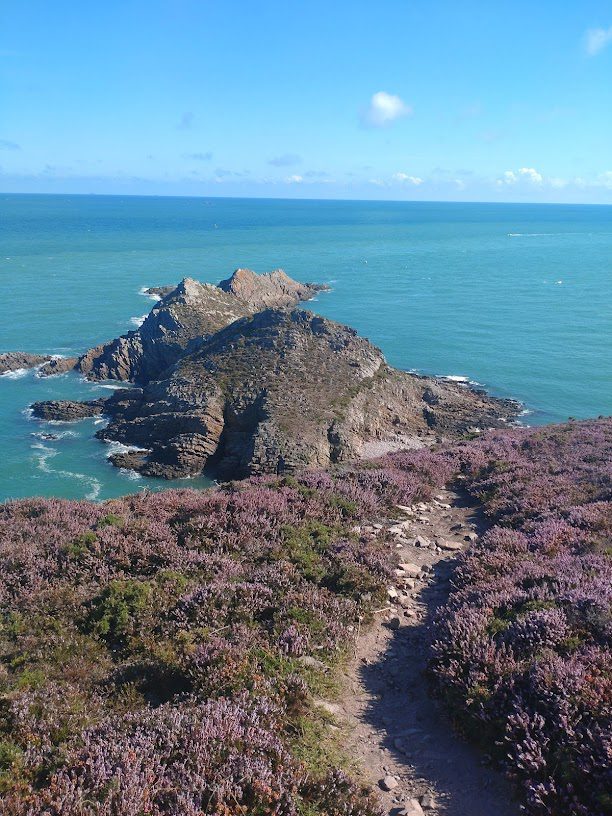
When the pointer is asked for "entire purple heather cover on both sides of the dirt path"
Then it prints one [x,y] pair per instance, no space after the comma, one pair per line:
[156,652]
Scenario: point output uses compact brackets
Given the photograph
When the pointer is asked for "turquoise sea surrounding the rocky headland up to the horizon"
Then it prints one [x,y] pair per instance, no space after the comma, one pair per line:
[515,297]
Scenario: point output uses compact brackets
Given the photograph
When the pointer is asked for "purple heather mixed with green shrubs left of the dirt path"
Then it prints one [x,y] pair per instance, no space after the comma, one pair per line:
[152,647]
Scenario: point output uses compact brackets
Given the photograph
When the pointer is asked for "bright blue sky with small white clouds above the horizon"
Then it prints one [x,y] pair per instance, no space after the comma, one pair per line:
[398,99]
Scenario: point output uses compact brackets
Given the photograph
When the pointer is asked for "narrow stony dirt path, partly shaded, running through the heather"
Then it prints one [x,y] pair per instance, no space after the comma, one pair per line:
[394,730]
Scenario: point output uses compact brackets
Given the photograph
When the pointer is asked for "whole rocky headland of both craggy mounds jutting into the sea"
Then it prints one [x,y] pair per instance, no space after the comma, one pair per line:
[234,380]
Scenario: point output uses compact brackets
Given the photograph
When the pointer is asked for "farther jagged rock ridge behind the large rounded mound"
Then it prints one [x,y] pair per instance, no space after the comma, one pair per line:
[184,315]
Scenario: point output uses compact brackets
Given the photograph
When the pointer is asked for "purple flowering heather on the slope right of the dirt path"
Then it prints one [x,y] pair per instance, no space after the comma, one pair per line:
[522,649]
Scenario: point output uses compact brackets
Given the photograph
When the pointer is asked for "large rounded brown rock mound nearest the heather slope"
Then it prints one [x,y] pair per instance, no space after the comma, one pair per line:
[281,390]
